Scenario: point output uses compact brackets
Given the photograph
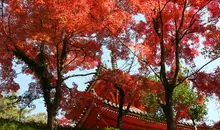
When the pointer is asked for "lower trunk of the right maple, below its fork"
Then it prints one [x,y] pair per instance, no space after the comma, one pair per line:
[171,124]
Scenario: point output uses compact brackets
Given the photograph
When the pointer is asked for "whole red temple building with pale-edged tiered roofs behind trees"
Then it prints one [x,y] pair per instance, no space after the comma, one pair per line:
[101,116]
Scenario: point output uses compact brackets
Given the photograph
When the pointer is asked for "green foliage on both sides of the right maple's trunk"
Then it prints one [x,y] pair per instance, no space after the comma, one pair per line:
[182,96]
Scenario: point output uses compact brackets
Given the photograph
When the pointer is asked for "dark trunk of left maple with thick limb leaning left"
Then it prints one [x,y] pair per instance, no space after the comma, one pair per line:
[44,78]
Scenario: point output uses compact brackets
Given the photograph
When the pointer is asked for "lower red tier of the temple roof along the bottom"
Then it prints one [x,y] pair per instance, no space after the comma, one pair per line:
[106,116]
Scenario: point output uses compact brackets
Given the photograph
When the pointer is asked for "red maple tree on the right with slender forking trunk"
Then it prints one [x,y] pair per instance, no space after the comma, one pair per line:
[171,35]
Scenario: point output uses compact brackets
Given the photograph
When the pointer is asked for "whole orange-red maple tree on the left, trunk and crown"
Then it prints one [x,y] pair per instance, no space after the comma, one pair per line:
[50,39]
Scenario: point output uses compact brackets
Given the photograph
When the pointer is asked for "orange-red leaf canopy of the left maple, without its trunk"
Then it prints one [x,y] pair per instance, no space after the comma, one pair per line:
[36,26]
